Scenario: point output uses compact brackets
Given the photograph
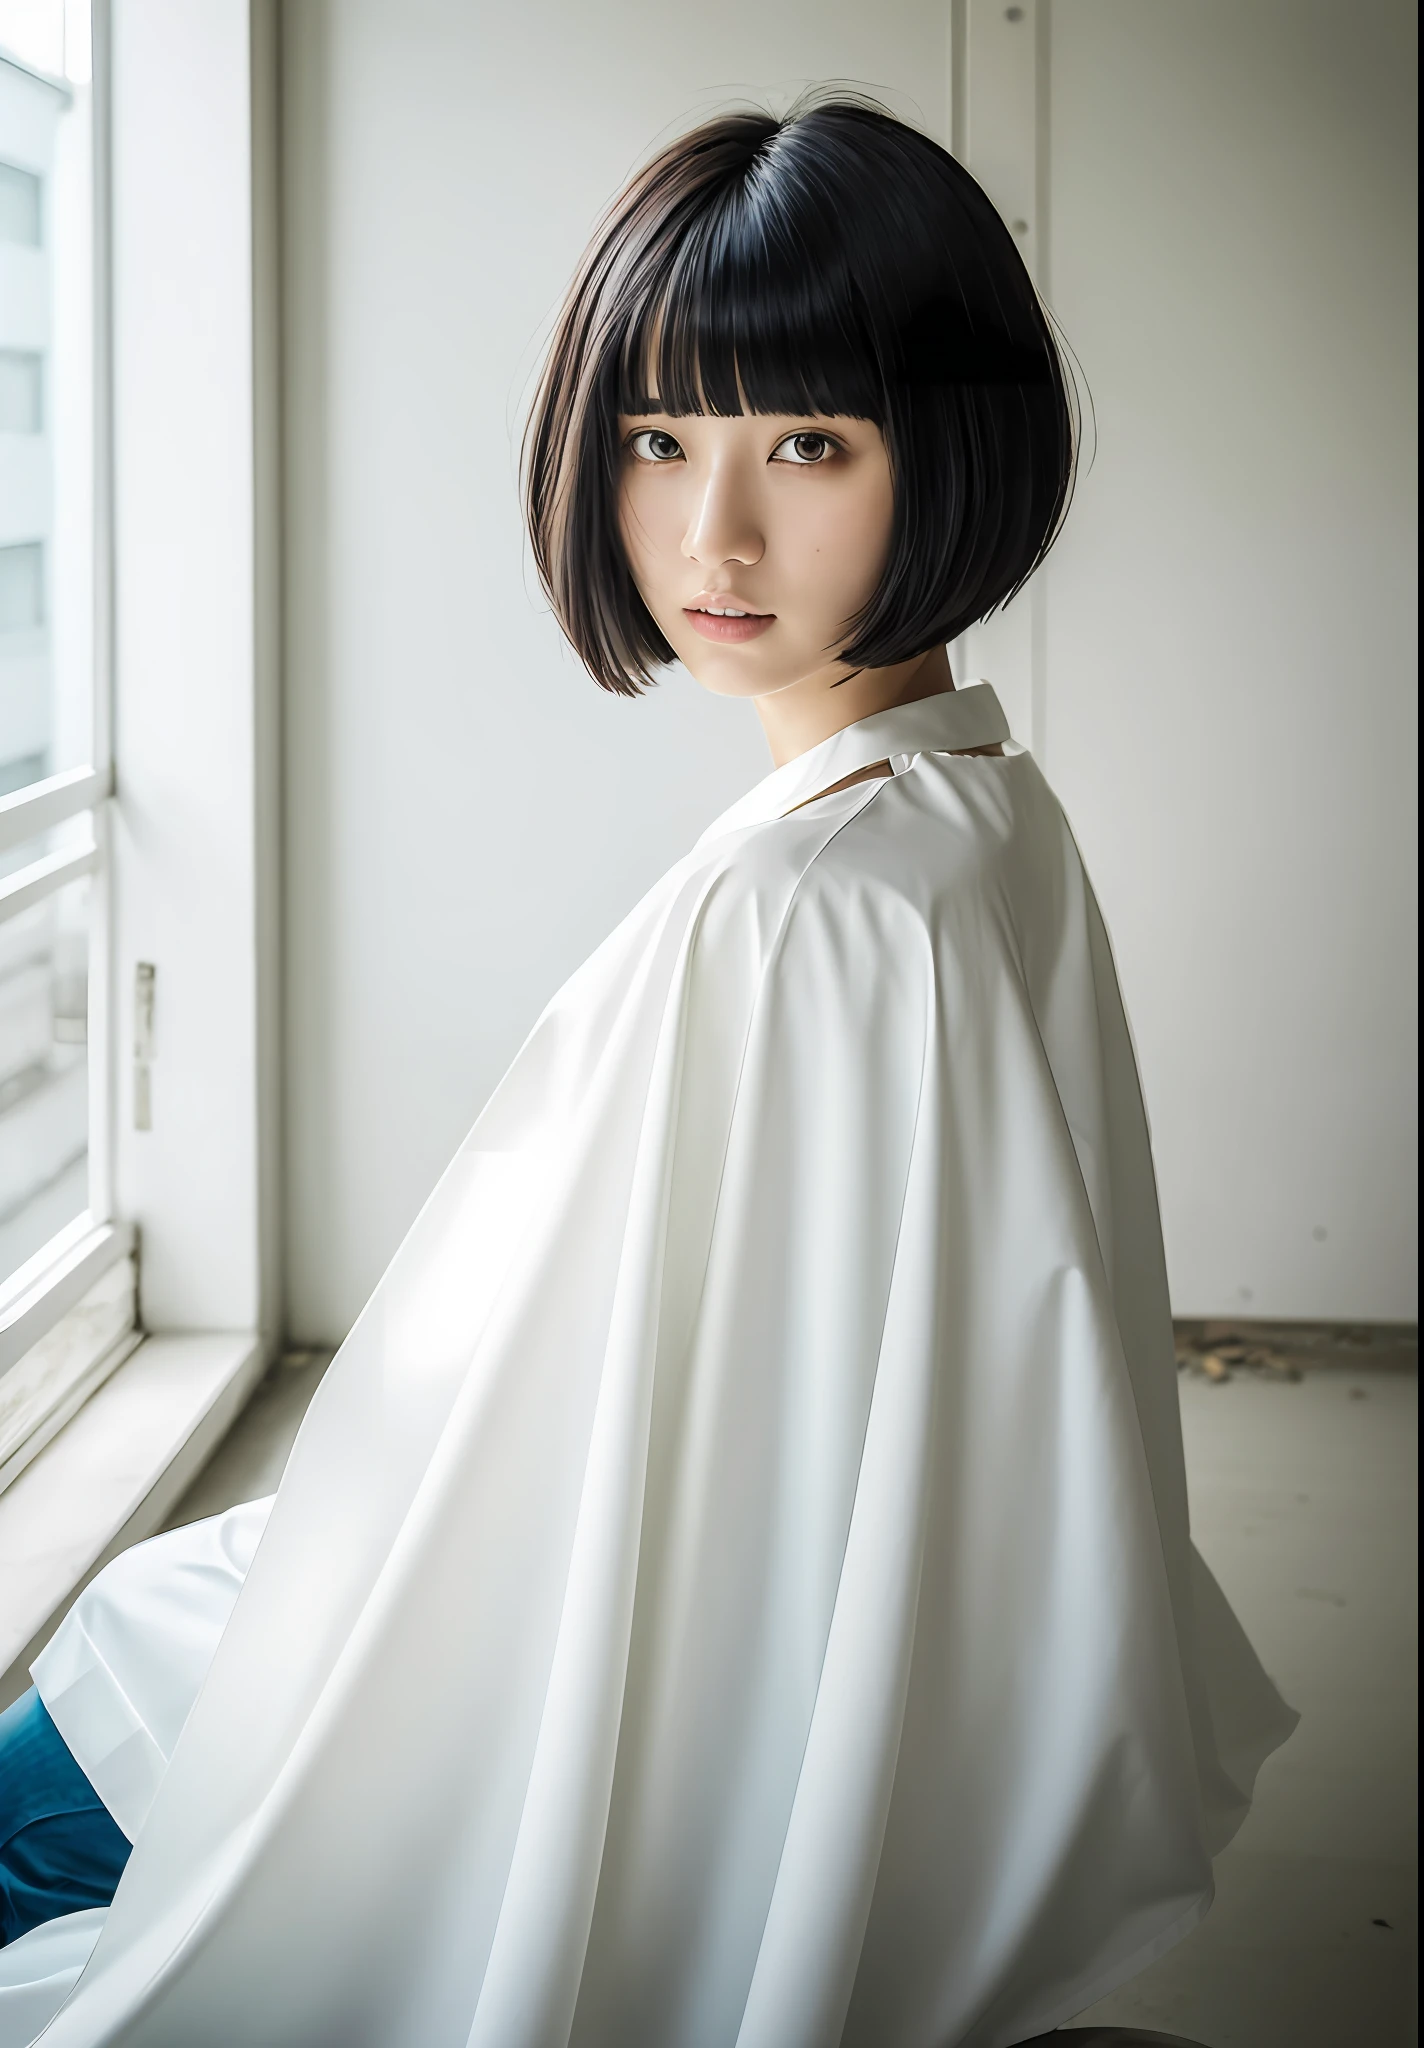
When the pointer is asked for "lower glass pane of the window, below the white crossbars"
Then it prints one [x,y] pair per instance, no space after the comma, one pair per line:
[44,1070]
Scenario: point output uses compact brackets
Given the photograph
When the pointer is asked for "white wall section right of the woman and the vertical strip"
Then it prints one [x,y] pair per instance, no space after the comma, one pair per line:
[1230,620]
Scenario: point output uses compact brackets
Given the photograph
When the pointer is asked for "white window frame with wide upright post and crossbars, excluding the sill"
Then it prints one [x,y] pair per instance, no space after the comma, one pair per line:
[187,206]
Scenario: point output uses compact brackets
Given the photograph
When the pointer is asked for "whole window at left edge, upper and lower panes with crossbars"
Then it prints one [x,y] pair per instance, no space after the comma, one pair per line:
[67,1277]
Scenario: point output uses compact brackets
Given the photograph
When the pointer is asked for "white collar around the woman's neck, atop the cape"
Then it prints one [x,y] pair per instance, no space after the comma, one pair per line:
[946,724]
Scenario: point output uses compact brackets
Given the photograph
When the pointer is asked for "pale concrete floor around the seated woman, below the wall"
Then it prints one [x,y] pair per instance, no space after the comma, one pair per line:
[1304,1504]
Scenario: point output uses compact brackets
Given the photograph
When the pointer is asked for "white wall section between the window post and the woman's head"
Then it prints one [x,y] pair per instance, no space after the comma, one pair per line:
[466,812]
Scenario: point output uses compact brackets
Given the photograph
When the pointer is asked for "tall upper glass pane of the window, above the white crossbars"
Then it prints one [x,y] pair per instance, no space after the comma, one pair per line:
[46,394]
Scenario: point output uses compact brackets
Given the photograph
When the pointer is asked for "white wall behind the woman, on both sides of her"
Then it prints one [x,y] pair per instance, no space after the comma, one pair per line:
[1224,638]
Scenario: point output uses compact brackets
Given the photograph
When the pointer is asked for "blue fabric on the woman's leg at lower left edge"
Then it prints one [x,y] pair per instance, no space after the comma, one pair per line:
[60,1850]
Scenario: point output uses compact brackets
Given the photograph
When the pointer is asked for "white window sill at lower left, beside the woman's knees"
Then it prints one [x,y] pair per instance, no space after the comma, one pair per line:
[112,1478]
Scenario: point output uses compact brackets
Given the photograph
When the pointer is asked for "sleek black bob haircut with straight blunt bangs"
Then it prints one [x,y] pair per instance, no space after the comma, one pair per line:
[829,263]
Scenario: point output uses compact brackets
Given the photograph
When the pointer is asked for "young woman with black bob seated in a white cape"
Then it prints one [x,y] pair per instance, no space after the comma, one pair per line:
[735,1584]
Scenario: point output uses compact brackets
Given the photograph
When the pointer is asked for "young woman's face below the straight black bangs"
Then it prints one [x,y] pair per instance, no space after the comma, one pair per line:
[755,542]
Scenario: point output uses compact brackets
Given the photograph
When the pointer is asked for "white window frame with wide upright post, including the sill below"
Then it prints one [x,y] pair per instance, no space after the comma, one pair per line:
[187,820]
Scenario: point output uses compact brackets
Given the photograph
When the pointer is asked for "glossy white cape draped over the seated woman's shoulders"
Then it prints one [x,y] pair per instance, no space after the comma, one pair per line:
[732,1590]
